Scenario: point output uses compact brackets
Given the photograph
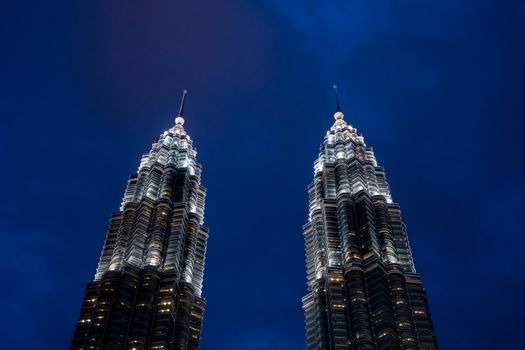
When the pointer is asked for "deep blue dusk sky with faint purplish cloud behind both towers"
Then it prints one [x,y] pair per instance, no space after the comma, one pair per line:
[436,87]
